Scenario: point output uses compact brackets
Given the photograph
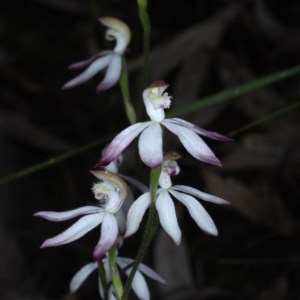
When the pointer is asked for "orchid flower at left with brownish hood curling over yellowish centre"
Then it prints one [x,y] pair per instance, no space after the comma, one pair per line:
[110,194]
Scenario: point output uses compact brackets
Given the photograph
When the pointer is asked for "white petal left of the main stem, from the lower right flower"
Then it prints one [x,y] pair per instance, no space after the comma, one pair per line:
[136,213]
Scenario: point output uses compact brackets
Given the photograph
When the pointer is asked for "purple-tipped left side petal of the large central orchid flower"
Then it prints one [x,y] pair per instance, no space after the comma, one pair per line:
[120,142]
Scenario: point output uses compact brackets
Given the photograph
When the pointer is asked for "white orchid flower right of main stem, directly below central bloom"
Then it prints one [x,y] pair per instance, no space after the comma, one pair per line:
[166,208]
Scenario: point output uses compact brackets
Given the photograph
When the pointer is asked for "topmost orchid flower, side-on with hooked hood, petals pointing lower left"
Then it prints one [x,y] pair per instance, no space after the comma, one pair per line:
[112,60]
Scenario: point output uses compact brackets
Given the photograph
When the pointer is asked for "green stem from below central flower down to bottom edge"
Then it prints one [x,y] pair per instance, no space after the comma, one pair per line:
[149,232]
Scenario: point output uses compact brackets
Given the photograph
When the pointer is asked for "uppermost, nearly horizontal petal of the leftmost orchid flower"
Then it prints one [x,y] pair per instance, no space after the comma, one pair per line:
[66,215]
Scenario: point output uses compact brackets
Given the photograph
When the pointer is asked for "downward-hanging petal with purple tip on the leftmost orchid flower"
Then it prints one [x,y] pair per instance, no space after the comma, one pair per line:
[109,234]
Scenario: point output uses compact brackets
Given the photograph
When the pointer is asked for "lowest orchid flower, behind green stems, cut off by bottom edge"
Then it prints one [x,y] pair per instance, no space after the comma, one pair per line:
[139,284]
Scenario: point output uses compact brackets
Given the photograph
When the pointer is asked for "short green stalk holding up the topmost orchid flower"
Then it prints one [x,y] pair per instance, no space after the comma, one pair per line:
[130,112]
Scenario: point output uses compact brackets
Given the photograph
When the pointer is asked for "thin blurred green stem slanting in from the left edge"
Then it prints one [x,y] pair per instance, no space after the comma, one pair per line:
[51,161]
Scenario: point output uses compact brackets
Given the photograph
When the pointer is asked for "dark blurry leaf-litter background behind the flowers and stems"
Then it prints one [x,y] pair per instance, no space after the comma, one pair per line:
[199,48]
